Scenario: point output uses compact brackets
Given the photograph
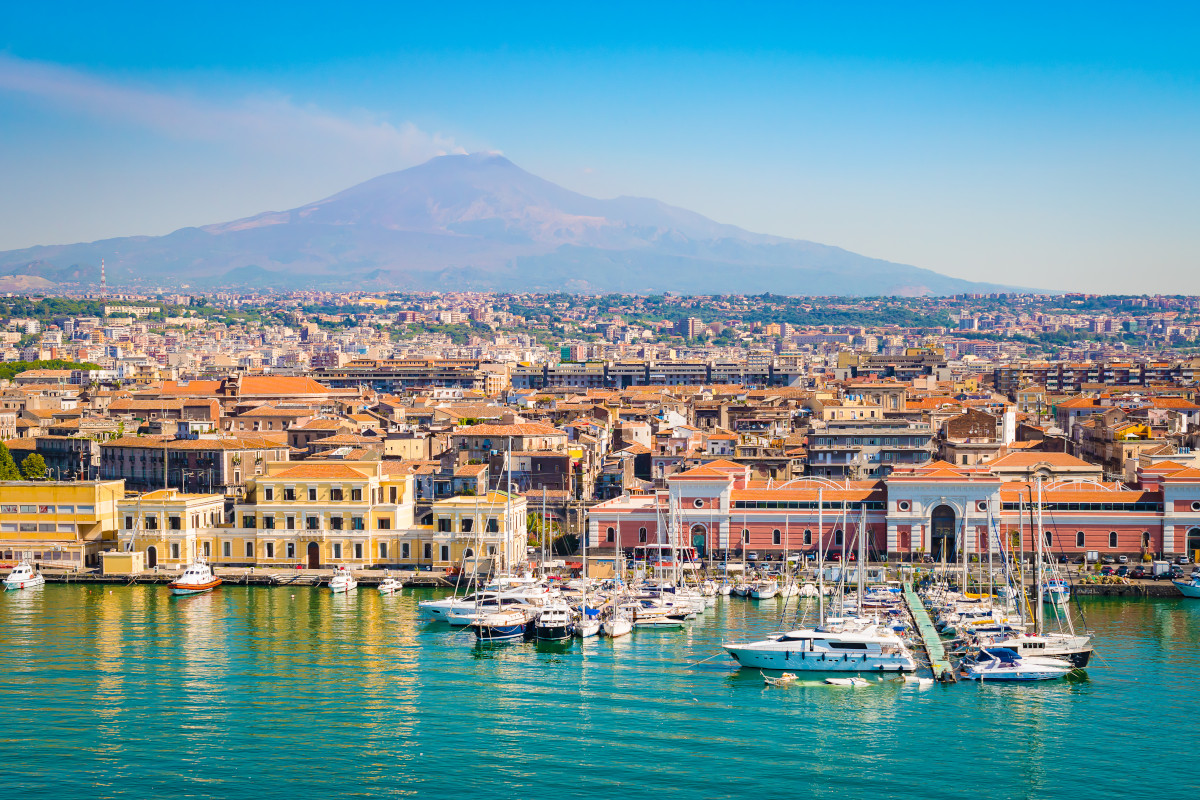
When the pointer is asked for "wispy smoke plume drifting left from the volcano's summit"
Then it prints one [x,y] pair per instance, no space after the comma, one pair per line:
[268,124]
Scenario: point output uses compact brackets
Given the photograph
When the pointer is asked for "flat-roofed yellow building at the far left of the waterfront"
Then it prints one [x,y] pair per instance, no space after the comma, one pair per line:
[58,524]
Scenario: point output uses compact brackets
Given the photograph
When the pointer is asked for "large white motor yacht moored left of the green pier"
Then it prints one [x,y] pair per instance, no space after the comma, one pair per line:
[830,648]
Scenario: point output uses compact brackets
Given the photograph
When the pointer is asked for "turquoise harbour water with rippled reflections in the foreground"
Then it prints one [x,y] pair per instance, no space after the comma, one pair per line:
[128,693]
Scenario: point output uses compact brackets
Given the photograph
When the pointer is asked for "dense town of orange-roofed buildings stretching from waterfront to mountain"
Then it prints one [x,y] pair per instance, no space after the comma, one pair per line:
[419,432]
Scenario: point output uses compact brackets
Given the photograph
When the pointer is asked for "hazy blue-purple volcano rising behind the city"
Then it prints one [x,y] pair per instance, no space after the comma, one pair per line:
[477,222]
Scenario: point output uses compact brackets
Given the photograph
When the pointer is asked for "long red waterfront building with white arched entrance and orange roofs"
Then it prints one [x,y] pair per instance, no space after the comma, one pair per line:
[932,510]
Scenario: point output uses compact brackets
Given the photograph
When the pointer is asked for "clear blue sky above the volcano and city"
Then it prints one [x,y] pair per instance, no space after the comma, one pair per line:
[1048,147]
